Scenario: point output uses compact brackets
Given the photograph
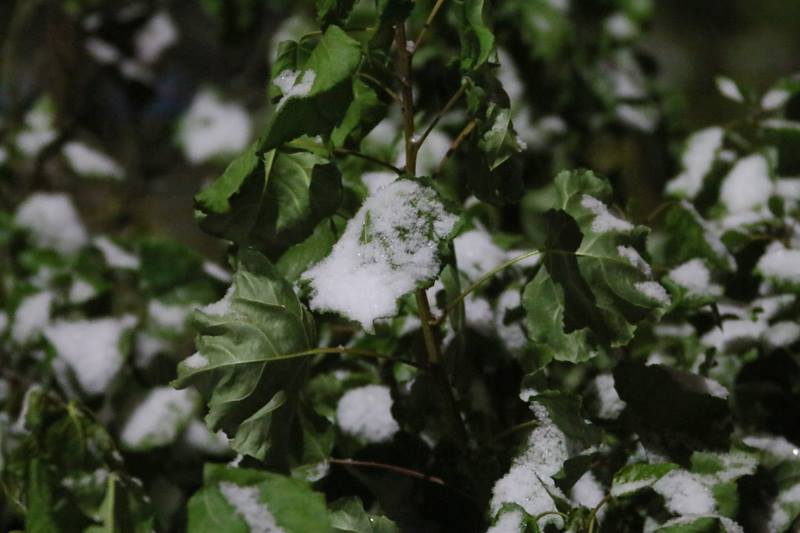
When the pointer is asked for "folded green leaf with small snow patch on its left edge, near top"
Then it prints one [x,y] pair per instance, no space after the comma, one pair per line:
[321,92]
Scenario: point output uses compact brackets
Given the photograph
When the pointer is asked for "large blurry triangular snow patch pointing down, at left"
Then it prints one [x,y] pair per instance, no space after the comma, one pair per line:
[91,348]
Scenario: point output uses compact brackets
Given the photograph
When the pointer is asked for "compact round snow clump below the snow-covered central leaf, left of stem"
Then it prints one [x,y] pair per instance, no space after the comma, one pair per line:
[366,413]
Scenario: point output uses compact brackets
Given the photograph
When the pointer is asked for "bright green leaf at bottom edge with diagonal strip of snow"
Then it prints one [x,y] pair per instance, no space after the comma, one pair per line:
[239,500]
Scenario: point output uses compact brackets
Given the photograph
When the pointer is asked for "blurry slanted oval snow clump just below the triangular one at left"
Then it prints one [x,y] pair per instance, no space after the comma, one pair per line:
[158,418]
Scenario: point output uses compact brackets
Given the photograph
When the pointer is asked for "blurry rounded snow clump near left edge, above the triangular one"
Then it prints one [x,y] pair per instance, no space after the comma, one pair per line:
[52,221]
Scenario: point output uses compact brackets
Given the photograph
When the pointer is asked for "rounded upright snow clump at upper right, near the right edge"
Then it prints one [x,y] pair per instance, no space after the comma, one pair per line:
[747,185]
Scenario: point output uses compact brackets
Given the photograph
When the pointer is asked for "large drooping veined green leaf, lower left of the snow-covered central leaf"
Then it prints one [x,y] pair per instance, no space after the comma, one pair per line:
[253,400]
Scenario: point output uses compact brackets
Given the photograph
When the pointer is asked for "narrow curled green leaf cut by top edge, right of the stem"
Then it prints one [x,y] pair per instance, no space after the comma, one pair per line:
[477,38]
